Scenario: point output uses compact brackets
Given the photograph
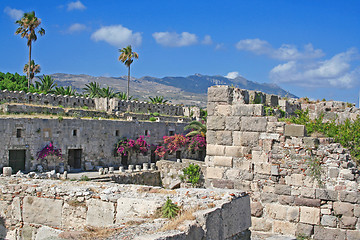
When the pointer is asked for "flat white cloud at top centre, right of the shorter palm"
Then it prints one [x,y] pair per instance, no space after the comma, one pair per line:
[172,39]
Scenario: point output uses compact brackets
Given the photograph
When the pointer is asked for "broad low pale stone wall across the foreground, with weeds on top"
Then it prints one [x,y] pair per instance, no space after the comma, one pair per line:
[50,208]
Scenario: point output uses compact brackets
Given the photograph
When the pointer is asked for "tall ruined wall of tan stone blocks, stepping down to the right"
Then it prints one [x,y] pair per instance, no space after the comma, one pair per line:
[277,164]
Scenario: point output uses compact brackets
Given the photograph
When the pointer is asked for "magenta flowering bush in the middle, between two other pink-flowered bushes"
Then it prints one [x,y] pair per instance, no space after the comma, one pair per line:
[129,145]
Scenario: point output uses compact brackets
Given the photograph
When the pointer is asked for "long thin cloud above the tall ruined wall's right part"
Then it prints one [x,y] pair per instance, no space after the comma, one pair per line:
[285,52]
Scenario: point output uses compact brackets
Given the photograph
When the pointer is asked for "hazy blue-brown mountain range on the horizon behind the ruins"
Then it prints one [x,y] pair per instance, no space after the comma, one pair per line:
[190,90]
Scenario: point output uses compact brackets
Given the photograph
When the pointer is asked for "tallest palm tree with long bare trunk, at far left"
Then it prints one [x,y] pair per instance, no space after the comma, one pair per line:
[27,28]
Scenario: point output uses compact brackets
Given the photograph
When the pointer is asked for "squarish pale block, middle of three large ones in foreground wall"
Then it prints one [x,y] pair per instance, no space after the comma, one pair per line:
[100,213]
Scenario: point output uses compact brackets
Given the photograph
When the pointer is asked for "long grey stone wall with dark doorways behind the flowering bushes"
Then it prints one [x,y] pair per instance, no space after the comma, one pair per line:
[96,138]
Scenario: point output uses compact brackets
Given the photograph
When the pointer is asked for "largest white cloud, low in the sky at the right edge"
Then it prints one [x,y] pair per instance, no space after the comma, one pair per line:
[335,72]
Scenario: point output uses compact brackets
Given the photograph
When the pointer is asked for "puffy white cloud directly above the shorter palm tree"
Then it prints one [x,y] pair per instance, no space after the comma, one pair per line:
[117,35]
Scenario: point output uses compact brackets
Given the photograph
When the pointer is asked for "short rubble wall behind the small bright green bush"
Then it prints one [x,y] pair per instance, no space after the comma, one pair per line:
[170,171]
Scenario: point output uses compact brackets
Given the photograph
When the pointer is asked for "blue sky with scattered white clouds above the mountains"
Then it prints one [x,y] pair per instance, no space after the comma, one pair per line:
[310,48]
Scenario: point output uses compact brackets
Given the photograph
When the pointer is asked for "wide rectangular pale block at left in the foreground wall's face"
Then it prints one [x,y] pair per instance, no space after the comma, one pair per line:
[42,211]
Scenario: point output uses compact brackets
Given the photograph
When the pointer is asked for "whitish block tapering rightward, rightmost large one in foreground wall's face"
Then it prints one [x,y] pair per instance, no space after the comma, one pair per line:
[134,207]
